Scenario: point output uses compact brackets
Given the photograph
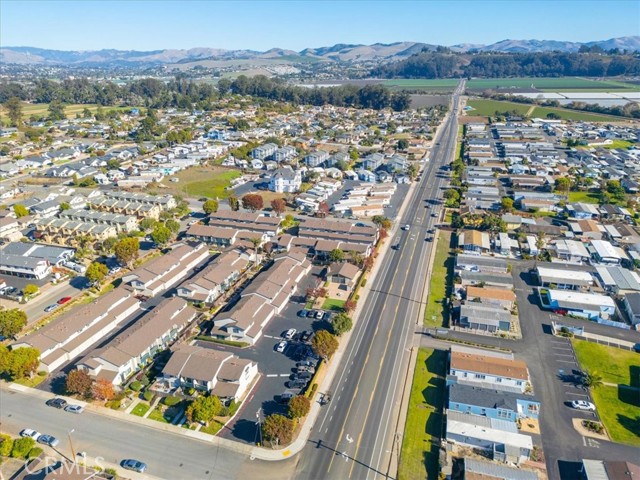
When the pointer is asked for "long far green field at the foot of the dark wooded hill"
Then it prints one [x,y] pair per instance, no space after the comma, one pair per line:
[550,84]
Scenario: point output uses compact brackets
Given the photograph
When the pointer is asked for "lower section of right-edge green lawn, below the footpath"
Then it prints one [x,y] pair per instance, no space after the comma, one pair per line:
[619,413]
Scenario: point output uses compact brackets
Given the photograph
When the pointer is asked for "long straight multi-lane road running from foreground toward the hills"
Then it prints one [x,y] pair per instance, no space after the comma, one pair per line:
[355,435]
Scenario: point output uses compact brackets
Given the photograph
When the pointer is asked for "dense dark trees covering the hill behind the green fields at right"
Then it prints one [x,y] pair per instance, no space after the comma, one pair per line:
[497,65]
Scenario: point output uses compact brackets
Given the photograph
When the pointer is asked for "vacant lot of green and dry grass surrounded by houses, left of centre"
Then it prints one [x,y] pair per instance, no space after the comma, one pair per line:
[210,182]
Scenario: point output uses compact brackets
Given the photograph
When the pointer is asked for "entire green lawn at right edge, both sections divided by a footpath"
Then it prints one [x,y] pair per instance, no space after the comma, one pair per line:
[618,405]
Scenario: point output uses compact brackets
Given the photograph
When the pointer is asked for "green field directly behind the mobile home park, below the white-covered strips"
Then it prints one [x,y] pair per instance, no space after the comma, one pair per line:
[487,108]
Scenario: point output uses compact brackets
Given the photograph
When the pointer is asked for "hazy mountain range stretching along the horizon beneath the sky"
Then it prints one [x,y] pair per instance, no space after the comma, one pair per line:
[339,53]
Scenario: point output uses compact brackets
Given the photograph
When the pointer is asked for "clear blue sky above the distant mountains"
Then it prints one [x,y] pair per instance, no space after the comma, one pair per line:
[262,24]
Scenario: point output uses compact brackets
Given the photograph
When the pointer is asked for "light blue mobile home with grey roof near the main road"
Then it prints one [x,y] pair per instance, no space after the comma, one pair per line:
[496,404]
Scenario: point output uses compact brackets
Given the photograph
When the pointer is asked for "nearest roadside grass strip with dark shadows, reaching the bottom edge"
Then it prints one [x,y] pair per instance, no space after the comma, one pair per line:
[419,456]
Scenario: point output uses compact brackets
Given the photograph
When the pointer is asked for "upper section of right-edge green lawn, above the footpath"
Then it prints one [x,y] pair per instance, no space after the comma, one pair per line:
[614,364]
